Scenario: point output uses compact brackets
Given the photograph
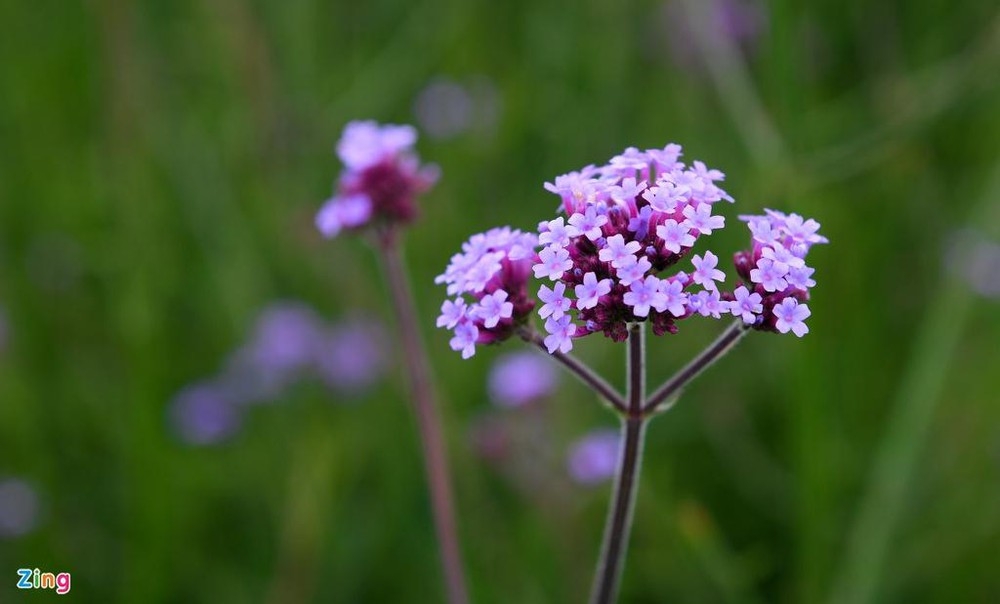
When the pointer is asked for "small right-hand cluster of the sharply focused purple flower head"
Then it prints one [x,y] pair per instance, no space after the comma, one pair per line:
[775,270]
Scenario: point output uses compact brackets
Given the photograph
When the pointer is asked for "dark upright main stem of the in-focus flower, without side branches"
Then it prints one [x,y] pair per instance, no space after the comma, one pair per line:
[619,522]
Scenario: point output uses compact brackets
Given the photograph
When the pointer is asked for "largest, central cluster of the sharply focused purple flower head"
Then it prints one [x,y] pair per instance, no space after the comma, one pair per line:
[626,223]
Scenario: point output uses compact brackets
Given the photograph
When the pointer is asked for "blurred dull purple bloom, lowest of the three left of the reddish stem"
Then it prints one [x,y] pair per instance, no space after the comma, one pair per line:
[204,414]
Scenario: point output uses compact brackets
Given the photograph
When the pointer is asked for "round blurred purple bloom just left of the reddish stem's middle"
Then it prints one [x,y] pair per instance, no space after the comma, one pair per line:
[352,355]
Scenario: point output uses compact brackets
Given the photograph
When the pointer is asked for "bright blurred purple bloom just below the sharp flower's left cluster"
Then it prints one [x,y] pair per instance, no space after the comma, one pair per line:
[520,378]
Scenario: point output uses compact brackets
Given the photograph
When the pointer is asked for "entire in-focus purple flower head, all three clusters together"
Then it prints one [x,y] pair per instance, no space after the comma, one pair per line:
[602,261]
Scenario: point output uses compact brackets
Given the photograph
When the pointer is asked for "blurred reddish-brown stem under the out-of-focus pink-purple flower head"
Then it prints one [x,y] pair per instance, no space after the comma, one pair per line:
[428,420]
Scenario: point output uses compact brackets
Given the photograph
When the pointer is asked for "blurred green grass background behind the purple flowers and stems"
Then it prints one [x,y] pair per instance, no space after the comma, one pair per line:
[160,164]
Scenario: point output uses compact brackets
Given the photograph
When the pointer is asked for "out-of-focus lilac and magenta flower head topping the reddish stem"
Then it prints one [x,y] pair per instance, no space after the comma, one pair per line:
[381,179]
